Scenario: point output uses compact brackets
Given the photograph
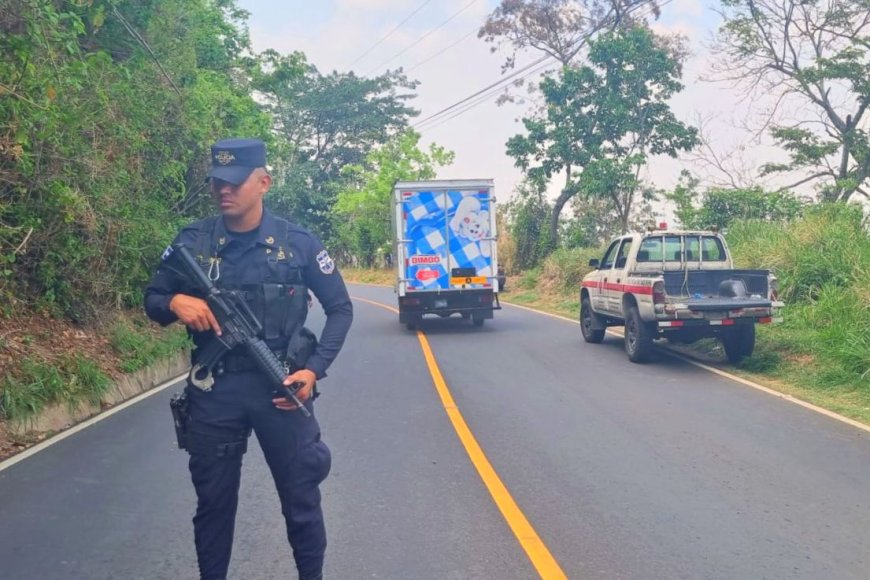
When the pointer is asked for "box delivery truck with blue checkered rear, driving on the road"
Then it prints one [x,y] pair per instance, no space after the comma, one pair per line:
[445,250]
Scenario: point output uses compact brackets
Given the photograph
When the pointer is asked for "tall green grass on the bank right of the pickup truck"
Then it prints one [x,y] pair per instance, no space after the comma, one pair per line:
[822,262]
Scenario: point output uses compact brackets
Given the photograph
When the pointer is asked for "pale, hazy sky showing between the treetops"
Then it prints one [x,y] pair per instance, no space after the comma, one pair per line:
[347,35]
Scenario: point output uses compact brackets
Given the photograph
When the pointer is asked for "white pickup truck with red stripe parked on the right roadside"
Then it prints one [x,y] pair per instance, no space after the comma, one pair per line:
[678,285]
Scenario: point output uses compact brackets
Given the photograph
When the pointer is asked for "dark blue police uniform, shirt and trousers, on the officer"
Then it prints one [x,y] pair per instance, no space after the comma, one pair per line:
[241,398]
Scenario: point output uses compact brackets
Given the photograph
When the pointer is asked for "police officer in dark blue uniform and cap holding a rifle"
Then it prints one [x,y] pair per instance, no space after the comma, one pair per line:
[274,263]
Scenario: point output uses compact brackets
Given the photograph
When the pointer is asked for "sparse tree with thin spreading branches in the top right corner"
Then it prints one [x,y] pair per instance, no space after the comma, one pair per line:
[811,55]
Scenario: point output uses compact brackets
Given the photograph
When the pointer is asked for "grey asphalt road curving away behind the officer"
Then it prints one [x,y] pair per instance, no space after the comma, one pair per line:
[656,471]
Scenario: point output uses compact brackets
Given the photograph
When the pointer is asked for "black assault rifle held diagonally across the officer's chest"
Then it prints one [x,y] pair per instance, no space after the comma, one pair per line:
[240,329]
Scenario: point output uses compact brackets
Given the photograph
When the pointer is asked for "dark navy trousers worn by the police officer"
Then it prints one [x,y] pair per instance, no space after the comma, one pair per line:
[299,461]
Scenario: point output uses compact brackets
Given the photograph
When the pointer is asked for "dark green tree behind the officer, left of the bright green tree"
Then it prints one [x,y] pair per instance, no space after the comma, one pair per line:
[325,122]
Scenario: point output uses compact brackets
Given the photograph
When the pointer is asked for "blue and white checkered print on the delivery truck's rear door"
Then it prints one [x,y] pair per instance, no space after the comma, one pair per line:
[427,222]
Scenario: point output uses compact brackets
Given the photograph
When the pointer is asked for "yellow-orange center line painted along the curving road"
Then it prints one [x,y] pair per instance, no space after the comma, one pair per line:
[540,556]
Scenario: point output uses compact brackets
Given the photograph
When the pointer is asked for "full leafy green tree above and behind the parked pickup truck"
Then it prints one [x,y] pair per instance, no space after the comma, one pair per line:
[604,120]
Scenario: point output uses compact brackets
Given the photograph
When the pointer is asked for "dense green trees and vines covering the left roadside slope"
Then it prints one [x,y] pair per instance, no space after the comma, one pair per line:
[105,110]
